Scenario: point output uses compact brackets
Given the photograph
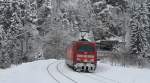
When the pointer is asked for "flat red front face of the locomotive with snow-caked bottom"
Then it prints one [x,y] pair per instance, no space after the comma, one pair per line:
[85,56]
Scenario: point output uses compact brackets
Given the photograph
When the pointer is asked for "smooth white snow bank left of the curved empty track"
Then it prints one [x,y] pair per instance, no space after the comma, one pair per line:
[33,72]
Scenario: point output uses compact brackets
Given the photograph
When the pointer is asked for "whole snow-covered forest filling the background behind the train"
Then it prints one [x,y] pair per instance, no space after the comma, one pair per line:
[41,29]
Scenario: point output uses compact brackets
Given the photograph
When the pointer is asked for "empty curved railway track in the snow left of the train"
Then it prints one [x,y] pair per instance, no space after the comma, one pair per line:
[60,73]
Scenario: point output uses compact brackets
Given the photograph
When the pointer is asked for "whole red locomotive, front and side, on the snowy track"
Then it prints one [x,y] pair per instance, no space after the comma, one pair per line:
[82,56]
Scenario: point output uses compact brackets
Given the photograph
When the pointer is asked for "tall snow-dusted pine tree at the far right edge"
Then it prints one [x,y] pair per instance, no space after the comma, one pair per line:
[139,27]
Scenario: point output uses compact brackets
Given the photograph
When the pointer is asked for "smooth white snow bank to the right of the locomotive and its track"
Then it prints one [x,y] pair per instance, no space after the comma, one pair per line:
[123,74]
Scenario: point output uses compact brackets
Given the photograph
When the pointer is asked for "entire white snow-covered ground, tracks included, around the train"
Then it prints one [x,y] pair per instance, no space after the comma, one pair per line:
[55,71]
